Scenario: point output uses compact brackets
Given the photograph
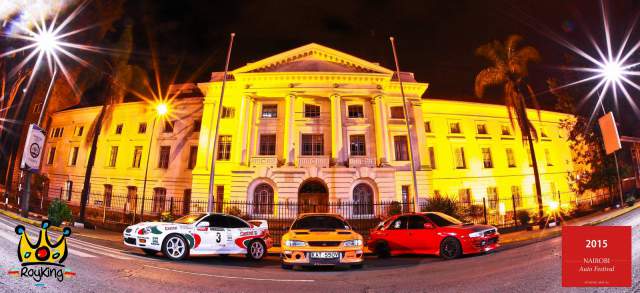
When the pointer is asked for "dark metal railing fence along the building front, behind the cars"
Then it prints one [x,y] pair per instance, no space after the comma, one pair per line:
[117,211]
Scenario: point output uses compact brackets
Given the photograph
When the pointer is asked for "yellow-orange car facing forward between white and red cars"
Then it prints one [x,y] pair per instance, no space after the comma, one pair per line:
[321,239]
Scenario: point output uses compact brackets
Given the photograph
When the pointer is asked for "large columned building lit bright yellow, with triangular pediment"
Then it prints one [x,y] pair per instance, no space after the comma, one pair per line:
[314,124]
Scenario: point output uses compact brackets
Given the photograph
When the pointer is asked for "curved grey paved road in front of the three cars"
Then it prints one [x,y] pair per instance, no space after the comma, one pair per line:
[105,267]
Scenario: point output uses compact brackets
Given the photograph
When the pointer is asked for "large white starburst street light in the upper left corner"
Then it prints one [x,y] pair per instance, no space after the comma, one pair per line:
[48,41]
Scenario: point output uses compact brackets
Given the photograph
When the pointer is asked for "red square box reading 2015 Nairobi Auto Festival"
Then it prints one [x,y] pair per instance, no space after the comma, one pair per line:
[596,256]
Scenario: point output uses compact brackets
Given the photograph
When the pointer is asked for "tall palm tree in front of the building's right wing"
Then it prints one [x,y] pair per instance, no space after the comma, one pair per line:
[510,70]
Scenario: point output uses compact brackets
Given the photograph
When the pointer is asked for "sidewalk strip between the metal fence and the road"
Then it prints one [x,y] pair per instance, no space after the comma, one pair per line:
[507,238]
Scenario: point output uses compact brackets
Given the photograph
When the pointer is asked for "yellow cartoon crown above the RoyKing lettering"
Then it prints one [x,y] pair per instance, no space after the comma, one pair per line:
[43,252]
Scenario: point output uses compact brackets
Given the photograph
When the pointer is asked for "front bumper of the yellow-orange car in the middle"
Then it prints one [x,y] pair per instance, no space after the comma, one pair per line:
[297,256]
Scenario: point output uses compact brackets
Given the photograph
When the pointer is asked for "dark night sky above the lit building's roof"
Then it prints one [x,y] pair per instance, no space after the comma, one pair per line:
[436,39]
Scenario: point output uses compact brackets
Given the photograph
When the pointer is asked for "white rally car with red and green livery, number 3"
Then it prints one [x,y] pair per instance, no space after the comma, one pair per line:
[201,234]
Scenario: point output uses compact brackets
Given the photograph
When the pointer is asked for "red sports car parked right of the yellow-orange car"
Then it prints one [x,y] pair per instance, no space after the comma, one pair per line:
[431,233]
